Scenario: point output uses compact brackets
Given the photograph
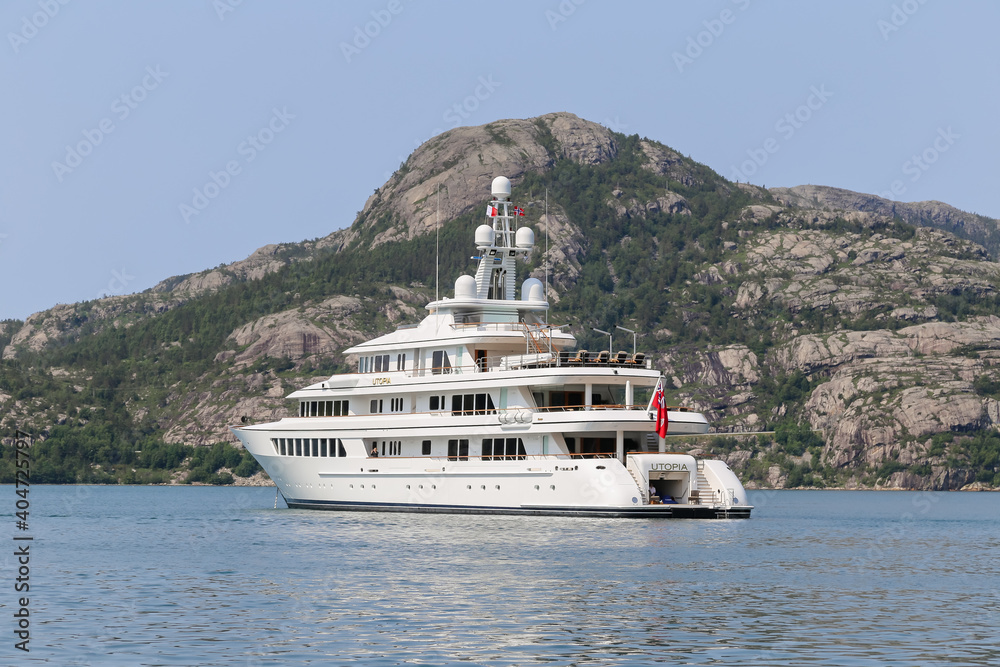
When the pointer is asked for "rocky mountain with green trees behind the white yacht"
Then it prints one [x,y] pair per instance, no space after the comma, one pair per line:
[862,332]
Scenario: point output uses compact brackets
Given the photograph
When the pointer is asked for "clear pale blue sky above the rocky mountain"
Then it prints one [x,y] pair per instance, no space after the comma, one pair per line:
[115,112]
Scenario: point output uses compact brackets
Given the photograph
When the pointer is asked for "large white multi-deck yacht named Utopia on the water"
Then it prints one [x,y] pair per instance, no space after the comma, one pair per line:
[482,407]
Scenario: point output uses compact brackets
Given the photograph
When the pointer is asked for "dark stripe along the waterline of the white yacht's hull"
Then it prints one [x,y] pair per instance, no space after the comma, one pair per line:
[639,512]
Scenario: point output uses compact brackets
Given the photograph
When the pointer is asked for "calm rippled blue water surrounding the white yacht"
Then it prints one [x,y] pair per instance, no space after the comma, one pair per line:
[216,576]
